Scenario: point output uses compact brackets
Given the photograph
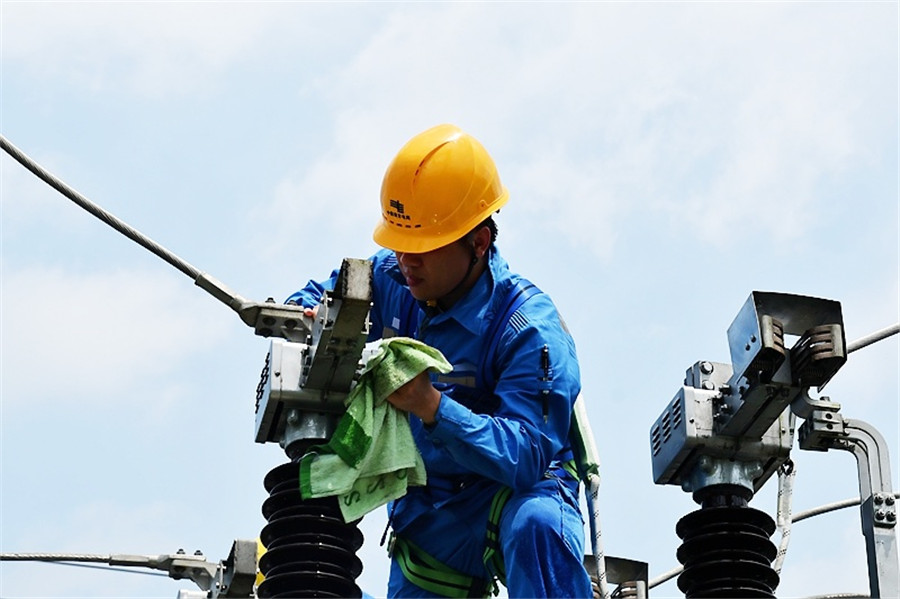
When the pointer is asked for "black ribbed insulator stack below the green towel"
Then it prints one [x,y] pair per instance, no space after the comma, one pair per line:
[310,550]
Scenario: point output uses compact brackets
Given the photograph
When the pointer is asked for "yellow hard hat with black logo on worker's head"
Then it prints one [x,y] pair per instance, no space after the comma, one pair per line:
[440,185]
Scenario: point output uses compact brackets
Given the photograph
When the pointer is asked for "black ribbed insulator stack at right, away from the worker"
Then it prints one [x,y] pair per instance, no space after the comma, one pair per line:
[726,552]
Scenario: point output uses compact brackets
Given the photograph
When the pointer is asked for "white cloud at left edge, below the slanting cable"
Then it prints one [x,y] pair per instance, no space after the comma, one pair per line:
[98,333]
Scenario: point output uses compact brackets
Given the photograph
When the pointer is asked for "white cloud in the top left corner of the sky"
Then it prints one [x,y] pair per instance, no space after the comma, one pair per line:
[159,50]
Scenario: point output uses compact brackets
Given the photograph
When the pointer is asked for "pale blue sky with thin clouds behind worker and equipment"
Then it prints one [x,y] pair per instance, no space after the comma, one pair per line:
[664,160]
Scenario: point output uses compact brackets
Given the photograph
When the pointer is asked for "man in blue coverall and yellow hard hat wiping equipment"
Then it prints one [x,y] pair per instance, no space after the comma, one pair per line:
[501,501]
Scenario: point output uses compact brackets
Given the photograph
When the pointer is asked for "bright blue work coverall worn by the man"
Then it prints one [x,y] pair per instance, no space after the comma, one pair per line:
[514,436]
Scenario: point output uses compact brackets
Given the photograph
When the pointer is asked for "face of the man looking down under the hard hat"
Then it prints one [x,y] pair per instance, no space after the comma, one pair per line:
[433,275]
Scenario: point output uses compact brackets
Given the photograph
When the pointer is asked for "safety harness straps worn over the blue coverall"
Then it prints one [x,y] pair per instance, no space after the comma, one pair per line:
[417,566]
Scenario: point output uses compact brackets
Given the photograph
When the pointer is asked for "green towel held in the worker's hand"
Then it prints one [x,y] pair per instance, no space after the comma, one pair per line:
[372,458]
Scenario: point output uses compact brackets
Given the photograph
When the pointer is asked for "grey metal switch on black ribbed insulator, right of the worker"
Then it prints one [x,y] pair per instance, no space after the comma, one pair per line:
[731,427]
